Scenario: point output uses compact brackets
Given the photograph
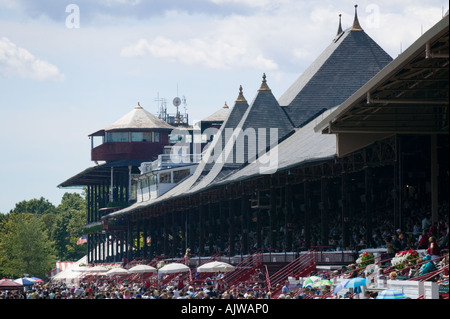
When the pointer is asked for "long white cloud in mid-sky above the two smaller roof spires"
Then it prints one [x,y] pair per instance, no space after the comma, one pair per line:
[213,54]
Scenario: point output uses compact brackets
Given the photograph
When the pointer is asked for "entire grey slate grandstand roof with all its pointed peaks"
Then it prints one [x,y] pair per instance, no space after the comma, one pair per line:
[346,64]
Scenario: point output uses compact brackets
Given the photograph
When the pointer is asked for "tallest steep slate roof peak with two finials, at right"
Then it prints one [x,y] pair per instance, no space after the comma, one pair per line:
[344,66]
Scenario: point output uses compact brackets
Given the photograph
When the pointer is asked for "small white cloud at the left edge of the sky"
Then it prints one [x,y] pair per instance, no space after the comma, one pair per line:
[18,61]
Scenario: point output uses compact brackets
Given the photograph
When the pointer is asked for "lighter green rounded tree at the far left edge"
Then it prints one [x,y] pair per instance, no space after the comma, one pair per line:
[25,247]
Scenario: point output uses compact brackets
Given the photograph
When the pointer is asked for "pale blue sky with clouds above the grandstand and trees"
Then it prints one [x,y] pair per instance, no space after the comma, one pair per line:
[61,81]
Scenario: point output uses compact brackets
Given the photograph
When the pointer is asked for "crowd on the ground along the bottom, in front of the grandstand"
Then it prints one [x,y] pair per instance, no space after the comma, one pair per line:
[215,287]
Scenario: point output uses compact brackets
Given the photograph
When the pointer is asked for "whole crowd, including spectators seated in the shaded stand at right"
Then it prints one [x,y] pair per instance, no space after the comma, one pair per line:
[419,233]
